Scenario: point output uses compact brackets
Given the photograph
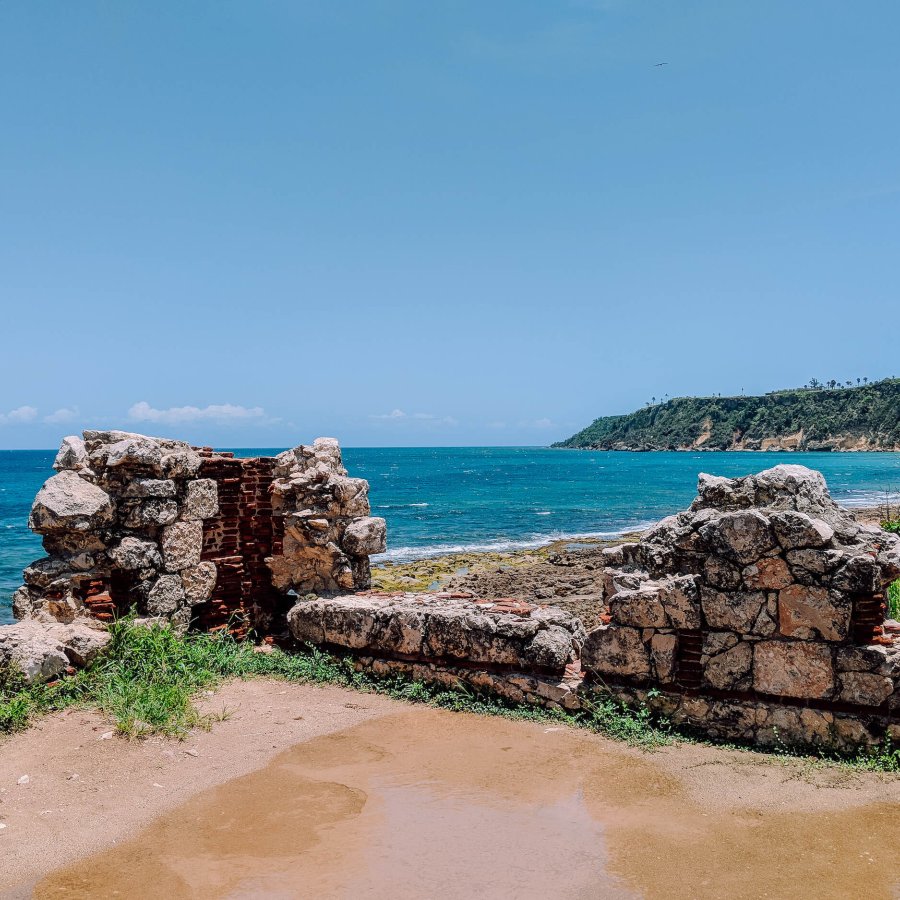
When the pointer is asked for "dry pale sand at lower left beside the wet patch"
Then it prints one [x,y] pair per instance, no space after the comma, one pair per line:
[87,788]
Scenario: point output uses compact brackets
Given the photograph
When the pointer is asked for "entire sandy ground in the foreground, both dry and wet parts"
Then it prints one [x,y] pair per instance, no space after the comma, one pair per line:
[355,795]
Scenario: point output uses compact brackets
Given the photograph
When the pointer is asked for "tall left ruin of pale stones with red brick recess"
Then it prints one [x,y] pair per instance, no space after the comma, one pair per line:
[189,536]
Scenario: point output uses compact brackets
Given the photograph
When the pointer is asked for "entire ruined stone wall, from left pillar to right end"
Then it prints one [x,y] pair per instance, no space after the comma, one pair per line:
[756,615]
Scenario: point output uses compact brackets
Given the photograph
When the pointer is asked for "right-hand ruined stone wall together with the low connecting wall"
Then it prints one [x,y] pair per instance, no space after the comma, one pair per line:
[757,615]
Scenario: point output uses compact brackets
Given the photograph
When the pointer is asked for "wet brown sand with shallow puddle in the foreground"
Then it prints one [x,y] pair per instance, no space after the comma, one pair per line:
[415,802]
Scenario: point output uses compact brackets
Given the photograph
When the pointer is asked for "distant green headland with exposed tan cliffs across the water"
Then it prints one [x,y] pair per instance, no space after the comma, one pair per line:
[819,416]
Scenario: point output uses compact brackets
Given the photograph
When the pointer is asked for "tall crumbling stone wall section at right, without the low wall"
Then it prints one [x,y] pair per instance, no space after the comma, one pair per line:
[758,614]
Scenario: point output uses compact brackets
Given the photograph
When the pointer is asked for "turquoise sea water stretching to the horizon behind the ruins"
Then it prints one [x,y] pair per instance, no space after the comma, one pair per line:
[483,498]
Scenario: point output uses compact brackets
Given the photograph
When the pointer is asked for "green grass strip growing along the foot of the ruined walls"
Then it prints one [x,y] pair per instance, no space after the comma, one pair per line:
[147,682]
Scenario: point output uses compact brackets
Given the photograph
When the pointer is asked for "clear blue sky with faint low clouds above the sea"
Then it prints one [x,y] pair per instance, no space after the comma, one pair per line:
[437,223]
